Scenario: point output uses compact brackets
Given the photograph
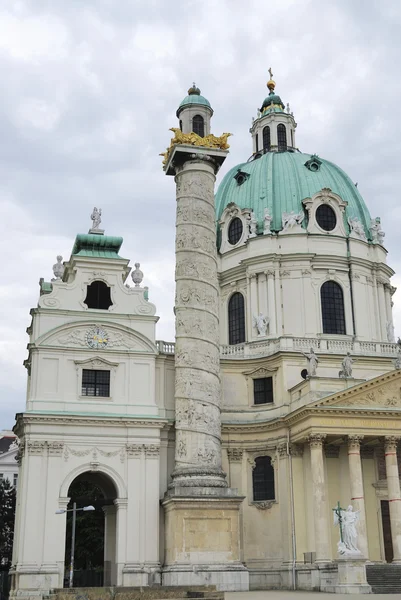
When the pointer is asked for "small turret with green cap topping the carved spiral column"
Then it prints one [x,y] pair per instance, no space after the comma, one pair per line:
[195,112]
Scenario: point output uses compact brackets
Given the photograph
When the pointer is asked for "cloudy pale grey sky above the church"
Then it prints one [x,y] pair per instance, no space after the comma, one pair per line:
[90,89]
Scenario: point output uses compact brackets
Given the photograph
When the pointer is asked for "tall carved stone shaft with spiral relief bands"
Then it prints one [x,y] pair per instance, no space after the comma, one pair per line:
[197,353]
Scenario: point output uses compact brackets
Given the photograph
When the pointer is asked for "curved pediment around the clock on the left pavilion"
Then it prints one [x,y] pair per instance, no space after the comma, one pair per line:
[75,335]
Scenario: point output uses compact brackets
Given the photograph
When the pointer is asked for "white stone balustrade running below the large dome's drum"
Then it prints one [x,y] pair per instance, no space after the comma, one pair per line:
[289,344]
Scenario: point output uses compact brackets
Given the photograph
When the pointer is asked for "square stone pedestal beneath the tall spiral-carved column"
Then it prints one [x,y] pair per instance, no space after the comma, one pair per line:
[202,539]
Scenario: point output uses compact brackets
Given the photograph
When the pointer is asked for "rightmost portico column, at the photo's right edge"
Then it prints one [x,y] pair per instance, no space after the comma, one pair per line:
[394,493]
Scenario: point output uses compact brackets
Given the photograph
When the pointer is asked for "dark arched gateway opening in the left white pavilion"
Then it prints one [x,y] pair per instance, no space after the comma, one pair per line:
[95,531]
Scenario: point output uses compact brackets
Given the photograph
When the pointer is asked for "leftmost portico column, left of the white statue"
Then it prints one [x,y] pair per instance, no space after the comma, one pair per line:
[320,506]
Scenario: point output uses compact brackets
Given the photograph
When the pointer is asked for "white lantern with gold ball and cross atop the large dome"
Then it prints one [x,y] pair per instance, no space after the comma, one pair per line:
[274,129]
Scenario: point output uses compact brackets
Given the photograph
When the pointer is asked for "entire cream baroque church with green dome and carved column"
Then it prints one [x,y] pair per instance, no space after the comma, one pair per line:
[220,459]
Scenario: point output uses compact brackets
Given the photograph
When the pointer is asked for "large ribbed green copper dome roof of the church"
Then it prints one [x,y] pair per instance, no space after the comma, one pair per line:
[280,181]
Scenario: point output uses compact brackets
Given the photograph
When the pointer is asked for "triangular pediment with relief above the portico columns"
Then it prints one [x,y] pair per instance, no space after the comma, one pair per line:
[381,392]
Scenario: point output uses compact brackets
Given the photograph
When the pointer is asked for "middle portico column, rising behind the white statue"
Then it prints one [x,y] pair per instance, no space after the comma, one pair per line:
[357,494]
